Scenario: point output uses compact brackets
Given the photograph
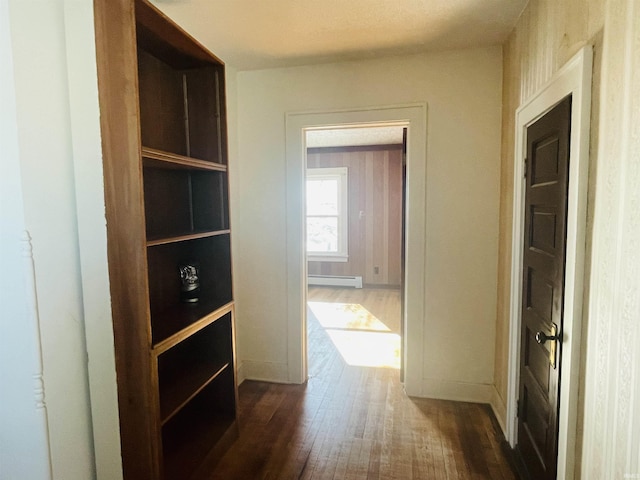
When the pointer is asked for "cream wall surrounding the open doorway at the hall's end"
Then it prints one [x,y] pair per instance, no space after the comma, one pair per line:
[463,92]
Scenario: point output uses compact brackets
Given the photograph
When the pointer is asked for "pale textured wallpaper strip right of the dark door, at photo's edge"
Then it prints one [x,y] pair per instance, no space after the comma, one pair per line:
[612,384]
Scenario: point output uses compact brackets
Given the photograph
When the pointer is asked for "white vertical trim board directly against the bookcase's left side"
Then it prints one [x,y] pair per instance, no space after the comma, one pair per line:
[86,146]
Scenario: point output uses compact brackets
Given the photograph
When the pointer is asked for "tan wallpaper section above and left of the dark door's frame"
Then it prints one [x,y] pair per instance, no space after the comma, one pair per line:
[548,34]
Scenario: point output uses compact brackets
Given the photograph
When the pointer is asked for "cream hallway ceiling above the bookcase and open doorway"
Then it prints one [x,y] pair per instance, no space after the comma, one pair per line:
[255,34]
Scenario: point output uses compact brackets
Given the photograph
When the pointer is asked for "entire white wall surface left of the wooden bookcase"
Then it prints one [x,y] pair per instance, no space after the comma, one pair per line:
[54,178]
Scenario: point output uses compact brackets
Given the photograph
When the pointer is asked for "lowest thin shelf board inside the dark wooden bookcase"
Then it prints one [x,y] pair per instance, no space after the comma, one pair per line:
[173,398]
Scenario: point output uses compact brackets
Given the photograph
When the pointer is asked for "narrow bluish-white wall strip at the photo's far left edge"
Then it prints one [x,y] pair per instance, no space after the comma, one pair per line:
[24,437]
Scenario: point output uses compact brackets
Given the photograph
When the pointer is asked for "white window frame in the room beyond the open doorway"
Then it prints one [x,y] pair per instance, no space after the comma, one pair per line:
[342,175]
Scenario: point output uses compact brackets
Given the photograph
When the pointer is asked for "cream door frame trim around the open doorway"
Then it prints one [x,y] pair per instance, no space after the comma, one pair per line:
[415,117]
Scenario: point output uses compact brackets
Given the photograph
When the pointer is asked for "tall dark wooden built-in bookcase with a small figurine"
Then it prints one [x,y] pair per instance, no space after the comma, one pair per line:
[163,119]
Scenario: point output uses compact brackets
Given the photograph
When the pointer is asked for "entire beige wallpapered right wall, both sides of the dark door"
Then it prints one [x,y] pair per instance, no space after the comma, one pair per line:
[546,36]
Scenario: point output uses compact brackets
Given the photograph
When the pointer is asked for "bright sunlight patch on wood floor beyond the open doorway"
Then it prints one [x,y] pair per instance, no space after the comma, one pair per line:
[360,337]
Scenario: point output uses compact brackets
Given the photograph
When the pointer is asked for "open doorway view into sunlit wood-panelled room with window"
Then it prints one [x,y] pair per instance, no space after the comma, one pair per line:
[354,192]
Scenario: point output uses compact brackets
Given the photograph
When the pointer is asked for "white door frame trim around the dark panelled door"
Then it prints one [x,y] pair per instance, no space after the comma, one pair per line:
[573,79]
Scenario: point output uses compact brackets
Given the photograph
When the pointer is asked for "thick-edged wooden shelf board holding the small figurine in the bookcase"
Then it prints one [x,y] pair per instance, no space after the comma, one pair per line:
[195,317]
